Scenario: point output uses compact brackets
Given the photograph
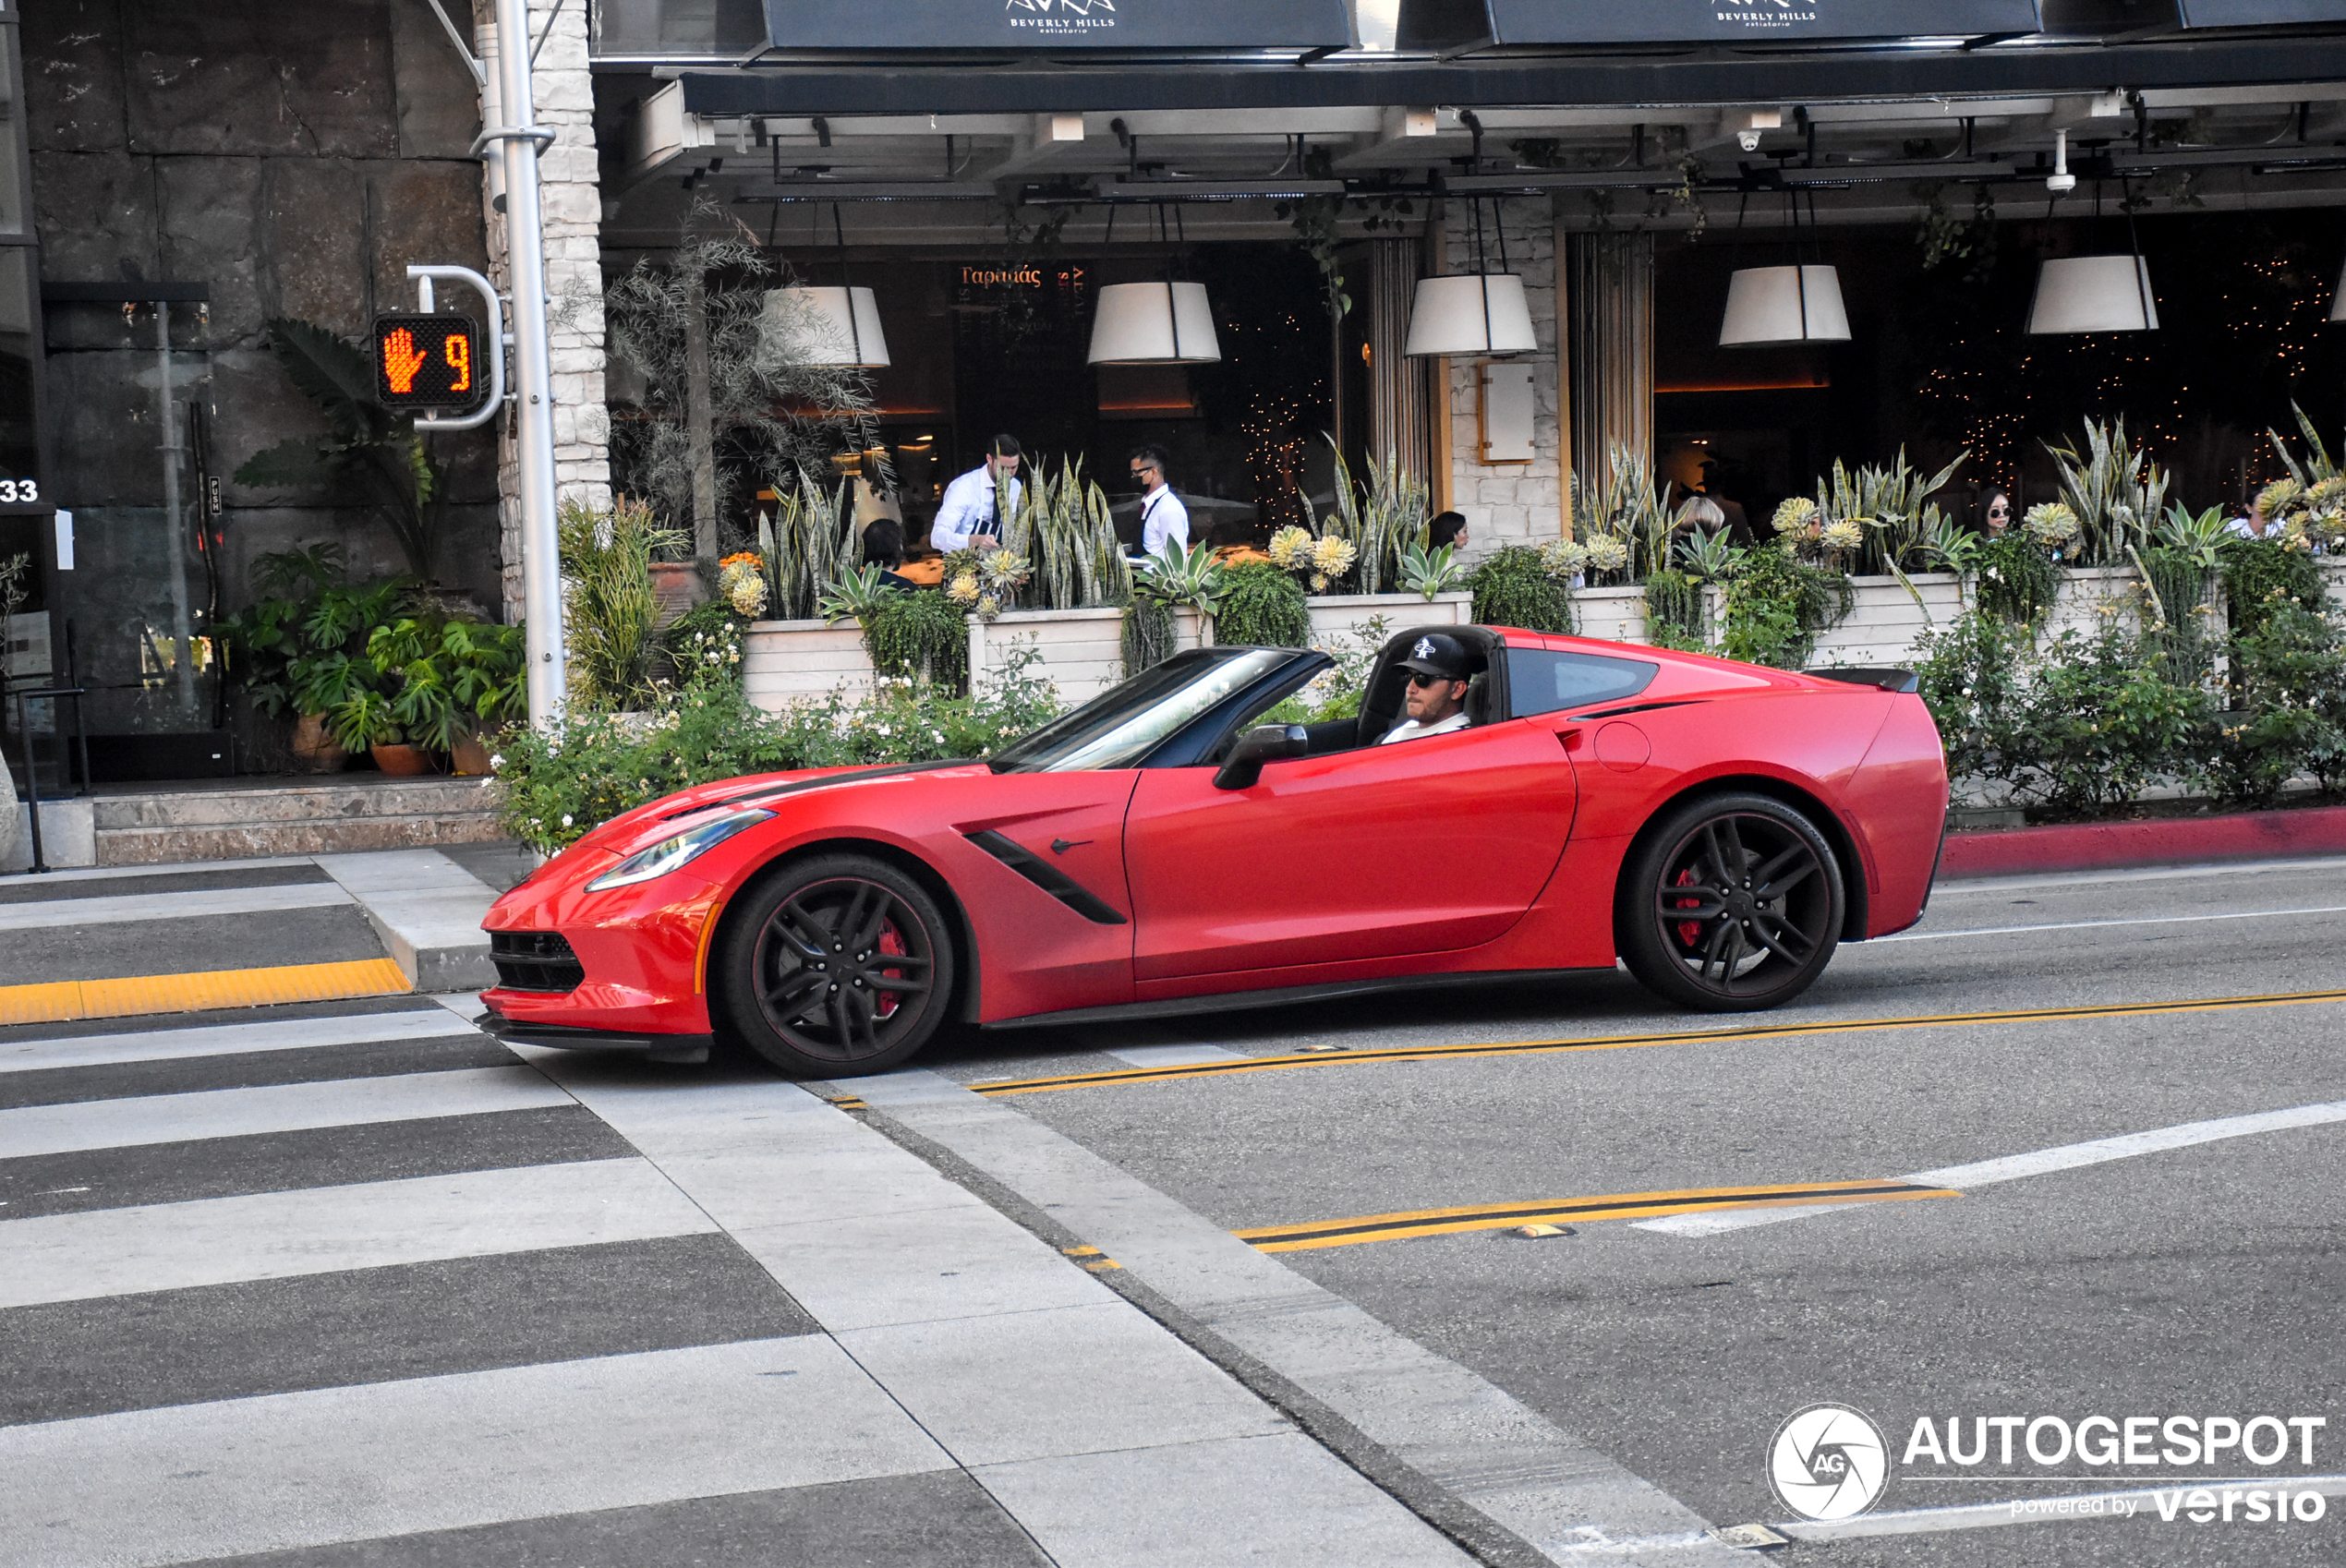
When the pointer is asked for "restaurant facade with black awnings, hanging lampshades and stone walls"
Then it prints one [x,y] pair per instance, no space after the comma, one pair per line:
[1489,240]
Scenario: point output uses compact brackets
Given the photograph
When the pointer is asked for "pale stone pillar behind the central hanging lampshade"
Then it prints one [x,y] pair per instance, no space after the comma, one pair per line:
[1510,503]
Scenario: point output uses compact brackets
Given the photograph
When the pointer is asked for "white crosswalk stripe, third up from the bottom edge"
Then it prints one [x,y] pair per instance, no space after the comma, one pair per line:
[278,1107]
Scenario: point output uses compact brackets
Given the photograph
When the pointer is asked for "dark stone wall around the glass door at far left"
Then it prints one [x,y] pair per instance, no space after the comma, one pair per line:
[294,158]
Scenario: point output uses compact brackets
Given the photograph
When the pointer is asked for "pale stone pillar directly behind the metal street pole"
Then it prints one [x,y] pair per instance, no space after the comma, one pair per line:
[571,200]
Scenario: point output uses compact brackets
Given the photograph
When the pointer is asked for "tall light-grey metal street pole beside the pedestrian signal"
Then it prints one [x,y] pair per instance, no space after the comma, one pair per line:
[534,376]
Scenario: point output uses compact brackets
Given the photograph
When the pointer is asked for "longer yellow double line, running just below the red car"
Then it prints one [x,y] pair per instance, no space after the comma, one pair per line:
[1627,1042]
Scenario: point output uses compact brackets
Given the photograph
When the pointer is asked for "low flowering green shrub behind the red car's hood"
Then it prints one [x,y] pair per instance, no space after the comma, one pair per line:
[574,777]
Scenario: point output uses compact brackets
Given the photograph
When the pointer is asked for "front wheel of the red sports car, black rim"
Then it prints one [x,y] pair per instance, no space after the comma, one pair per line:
[862,1007]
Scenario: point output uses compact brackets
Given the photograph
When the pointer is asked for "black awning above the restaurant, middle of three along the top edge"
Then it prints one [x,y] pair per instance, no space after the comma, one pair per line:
[1465,25]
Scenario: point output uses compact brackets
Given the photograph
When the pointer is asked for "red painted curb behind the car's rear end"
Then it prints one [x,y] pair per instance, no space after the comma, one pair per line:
[2188,840]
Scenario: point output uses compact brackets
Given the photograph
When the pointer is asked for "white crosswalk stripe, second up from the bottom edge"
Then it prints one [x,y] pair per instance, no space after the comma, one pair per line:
[273,1236]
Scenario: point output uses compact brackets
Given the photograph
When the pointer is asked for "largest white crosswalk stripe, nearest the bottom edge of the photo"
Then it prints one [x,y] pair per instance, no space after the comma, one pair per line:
[428,1454]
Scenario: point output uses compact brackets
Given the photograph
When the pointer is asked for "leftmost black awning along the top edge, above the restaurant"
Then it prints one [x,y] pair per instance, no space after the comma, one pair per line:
[1059,25]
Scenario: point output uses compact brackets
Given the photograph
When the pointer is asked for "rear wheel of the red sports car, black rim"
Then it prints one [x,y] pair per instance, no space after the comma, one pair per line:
[1733,904]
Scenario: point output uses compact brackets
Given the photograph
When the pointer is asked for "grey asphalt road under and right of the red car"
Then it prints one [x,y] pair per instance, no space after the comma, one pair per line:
[2195,1281]
